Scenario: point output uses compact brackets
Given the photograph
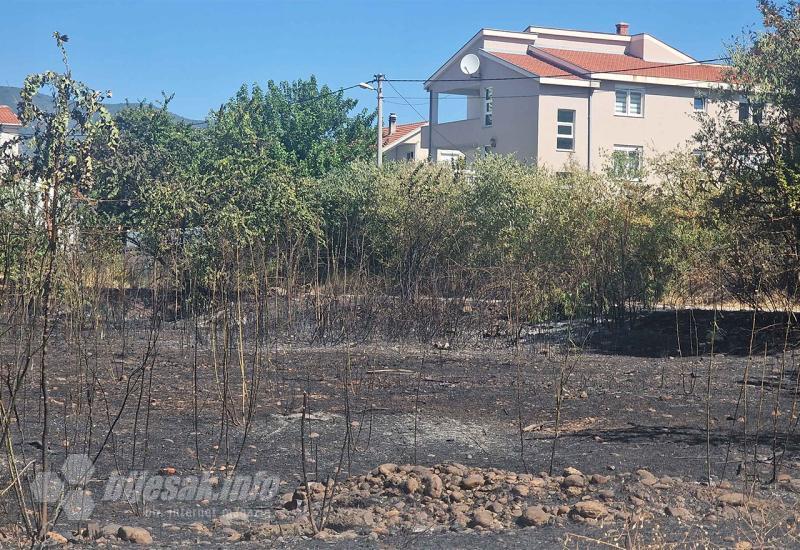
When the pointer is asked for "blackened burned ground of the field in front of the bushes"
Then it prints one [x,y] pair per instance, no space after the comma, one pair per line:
[488,408]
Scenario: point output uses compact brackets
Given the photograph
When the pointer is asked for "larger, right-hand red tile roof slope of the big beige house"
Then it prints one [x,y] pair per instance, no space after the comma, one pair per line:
[596,62]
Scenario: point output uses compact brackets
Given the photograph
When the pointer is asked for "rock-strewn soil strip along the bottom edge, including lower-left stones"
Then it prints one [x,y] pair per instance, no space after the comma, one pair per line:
[395,502]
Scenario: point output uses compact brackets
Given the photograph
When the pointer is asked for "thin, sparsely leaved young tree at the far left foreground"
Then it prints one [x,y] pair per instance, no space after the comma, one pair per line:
[58,164]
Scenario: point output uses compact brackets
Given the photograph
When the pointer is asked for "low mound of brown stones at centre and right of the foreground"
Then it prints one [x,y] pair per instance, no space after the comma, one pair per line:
[453,497]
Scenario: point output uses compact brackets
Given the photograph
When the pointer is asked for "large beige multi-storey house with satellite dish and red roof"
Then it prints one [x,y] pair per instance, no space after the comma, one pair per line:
[554,97]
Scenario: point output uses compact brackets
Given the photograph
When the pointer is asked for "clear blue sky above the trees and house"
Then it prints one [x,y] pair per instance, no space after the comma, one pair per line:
[203,50]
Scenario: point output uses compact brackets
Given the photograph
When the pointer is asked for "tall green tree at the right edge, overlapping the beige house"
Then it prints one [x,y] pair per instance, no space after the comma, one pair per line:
[753,158]
